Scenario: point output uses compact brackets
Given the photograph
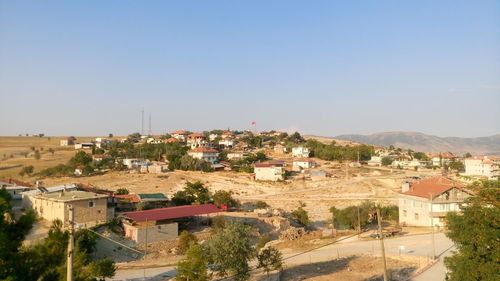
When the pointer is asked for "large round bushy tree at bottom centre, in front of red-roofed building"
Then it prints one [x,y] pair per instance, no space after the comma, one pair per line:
[230,251]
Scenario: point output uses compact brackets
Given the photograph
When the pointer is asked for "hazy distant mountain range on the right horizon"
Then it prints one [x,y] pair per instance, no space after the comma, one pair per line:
[427,143]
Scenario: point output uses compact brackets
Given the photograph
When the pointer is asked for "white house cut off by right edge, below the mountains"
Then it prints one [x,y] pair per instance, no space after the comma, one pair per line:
[485,166]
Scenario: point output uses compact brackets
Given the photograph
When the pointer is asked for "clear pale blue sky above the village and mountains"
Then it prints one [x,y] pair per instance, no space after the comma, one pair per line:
[323,67]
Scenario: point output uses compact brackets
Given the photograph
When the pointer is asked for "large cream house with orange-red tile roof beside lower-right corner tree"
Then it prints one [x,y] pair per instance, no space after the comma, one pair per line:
[426,202]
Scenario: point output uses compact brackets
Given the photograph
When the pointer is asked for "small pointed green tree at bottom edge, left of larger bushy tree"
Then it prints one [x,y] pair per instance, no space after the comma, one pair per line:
[194,267]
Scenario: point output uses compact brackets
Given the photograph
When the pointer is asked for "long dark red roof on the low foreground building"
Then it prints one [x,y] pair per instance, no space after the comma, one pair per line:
[172,212]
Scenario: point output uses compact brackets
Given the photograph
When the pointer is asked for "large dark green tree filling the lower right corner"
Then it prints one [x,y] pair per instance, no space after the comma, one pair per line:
[475,233]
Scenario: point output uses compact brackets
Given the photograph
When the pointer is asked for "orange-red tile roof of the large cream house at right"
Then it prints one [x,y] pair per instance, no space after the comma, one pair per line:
[431,186]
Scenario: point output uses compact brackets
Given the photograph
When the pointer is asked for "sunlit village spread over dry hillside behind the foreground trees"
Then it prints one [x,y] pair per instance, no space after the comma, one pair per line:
[149,189]
